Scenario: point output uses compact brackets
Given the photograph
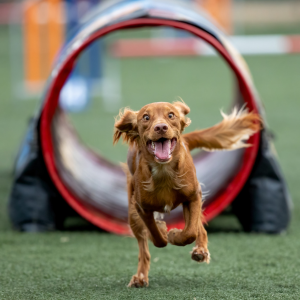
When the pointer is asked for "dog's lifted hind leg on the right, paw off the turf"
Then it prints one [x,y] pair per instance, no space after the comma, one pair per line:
[200,252]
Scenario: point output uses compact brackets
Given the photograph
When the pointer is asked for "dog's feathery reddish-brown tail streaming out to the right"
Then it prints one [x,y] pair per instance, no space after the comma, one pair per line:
[231,133]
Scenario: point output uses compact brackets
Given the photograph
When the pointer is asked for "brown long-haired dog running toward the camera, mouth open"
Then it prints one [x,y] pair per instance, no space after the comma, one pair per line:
[161,174]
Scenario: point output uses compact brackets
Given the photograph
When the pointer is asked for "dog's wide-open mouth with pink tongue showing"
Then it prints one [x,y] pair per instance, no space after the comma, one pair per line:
[162,149]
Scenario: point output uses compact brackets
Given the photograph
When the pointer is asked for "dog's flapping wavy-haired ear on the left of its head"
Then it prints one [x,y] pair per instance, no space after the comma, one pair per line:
[126,126]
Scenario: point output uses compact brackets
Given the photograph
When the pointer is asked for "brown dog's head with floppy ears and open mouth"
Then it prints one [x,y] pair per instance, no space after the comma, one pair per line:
[157,127]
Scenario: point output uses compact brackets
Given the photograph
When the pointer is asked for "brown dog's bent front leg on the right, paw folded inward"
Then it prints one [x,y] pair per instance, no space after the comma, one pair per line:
[192,215]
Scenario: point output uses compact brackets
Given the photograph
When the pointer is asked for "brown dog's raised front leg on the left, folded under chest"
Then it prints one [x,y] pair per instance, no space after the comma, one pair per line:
[158,237]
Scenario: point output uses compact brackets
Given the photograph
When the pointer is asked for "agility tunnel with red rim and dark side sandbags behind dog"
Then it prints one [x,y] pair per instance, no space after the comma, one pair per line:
[58,169]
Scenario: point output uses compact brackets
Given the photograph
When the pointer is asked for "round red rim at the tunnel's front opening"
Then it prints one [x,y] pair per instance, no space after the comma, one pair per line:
[51,101]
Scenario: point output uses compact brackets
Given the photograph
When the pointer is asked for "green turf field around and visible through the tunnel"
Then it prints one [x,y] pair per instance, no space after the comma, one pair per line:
[90,264]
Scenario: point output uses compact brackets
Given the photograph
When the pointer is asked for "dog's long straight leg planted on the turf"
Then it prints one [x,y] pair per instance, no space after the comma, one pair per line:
[140,279]
